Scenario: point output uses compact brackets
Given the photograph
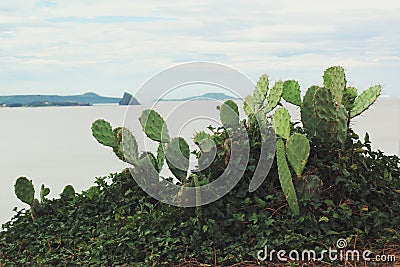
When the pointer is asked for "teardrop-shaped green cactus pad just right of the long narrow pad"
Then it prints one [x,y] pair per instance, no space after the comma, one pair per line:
[298,151]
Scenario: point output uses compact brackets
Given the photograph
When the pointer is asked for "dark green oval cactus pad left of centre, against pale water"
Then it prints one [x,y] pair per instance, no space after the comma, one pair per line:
[177,155]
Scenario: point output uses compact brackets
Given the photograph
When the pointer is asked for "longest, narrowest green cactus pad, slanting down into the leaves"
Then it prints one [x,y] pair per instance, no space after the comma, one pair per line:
[285,178]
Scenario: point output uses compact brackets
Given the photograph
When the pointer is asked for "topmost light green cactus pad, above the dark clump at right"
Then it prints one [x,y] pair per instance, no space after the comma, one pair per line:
[335,81]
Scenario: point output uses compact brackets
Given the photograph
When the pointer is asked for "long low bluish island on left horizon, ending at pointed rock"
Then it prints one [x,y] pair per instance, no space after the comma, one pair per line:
[86,99]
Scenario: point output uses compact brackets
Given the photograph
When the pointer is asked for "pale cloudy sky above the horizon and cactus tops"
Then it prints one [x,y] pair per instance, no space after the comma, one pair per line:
[77,46]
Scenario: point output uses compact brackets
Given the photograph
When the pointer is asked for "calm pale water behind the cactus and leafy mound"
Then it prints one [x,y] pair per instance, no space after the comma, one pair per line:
[54,145]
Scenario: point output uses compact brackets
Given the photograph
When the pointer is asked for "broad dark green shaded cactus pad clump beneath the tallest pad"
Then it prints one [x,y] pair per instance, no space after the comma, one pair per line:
[323,119]
